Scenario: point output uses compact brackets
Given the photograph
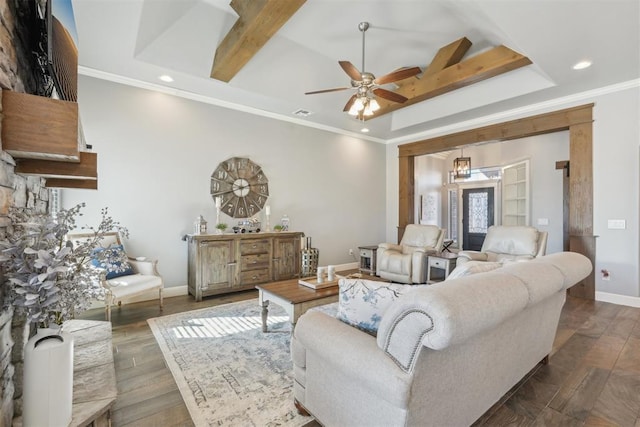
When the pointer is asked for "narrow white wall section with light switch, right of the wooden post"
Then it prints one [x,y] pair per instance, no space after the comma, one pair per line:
[616,135]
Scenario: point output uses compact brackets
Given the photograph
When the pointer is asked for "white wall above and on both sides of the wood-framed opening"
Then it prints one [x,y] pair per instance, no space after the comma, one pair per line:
[616,181]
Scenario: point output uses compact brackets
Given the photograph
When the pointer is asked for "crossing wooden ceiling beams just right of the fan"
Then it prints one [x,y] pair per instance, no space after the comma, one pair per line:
[483,66]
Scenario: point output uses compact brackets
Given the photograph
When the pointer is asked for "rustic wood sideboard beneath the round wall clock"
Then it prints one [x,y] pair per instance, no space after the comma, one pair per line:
[221,263]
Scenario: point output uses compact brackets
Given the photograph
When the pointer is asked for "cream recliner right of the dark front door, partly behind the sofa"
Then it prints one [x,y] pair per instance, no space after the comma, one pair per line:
[505,243]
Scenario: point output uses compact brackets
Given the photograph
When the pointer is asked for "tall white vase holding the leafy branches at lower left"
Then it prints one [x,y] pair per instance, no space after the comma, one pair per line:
[48,379]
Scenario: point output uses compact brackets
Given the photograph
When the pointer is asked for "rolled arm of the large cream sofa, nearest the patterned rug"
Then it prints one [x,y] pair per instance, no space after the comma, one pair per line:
[352,353]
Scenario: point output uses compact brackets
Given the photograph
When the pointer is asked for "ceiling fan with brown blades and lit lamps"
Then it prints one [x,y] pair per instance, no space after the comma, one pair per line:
[363,102]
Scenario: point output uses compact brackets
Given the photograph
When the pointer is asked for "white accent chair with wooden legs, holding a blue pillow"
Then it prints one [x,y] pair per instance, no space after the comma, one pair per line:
[145,277]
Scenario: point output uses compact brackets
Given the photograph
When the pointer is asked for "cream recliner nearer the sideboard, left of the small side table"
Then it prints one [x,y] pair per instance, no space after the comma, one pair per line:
[407,262]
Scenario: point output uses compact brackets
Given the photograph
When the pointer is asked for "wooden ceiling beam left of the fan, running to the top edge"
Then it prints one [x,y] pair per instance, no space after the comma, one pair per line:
[258,21]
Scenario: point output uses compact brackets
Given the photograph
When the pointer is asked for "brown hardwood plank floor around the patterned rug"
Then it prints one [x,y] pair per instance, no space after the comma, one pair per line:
[592,378]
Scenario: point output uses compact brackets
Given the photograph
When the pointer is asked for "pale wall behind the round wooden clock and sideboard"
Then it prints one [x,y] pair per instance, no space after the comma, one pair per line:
[156,154]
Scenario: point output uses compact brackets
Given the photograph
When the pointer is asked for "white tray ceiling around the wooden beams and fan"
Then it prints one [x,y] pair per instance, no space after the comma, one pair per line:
[135,41]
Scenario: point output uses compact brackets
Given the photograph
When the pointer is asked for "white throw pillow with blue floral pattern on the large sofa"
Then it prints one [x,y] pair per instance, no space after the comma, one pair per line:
[362,303]
